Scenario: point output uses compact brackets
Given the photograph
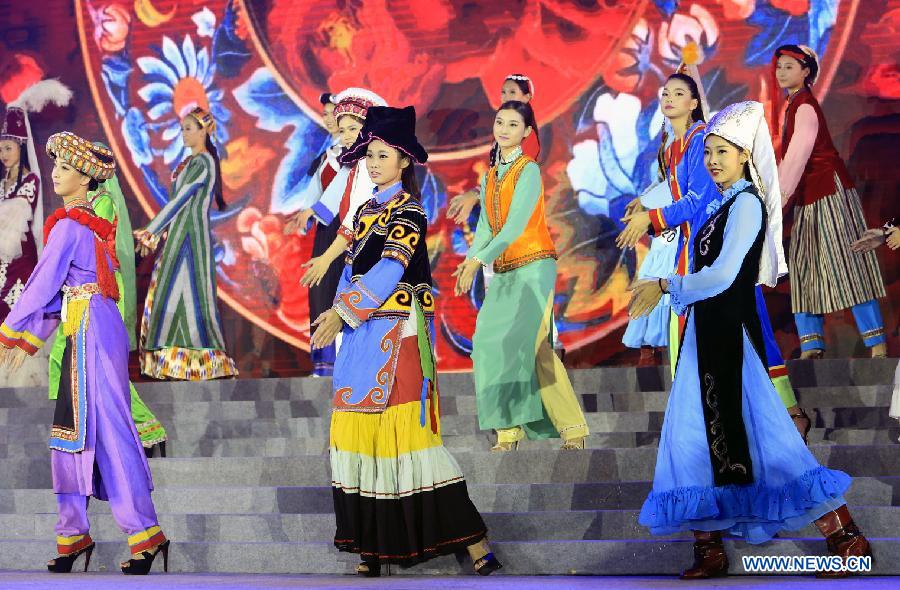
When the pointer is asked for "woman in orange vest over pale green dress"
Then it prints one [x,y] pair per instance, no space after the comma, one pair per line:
[521,386]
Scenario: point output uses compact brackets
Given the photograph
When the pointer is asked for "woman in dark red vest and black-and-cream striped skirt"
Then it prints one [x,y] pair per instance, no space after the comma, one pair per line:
[828,217]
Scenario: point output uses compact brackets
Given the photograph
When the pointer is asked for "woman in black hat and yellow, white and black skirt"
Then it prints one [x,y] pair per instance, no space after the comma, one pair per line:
[399,496]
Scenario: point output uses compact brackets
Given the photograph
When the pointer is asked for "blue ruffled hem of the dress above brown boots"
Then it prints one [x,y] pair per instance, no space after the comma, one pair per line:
[755,512]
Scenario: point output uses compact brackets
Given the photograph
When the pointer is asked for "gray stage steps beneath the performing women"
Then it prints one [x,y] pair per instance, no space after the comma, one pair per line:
[246,486]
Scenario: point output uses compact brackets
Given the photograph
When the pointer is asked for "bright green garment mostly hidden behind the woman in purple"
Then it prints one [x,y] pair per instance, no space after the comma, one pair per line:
[107,202]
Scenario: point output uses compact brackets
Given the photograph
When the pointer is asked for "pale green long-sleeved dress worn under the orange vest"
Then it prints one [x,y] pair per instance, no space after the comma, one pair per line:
[519,382]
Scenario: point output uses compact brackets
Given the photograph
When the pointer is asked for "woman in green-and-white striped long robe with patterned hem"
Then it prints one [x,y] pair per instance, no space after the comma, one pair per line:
[181,333]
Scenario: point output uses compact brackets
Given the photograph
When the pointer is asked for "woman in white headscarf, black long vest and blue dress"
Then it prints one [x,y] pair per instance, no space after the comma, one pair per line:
[729,460]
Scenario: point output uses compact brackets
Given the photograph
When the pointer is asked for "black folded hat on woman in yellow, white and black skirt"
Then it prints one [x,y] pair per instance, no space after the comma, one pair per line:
[395,127]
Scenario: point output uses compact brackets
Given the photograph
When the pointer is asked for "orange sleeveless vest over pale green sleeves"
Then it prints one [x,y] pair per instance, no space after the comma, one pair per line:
[535,242]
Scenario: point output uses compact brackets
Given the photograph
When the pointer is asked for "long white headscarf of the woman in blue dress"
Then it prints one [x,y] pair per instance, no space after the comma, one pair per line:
[744,124]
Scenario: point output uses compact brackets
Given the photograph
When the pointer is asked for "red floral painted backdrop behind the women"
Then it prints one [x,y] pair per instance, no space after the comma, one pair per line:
[260,65]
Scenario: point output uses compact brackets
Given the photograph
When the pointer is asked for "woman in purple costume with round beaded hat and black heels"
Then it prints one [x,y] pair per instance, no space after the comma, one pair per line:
[94,446]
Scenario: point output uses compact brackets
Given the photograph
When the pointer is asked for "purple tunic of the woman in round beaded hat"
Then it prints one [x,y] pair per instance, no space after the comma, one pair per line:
[69,259]
